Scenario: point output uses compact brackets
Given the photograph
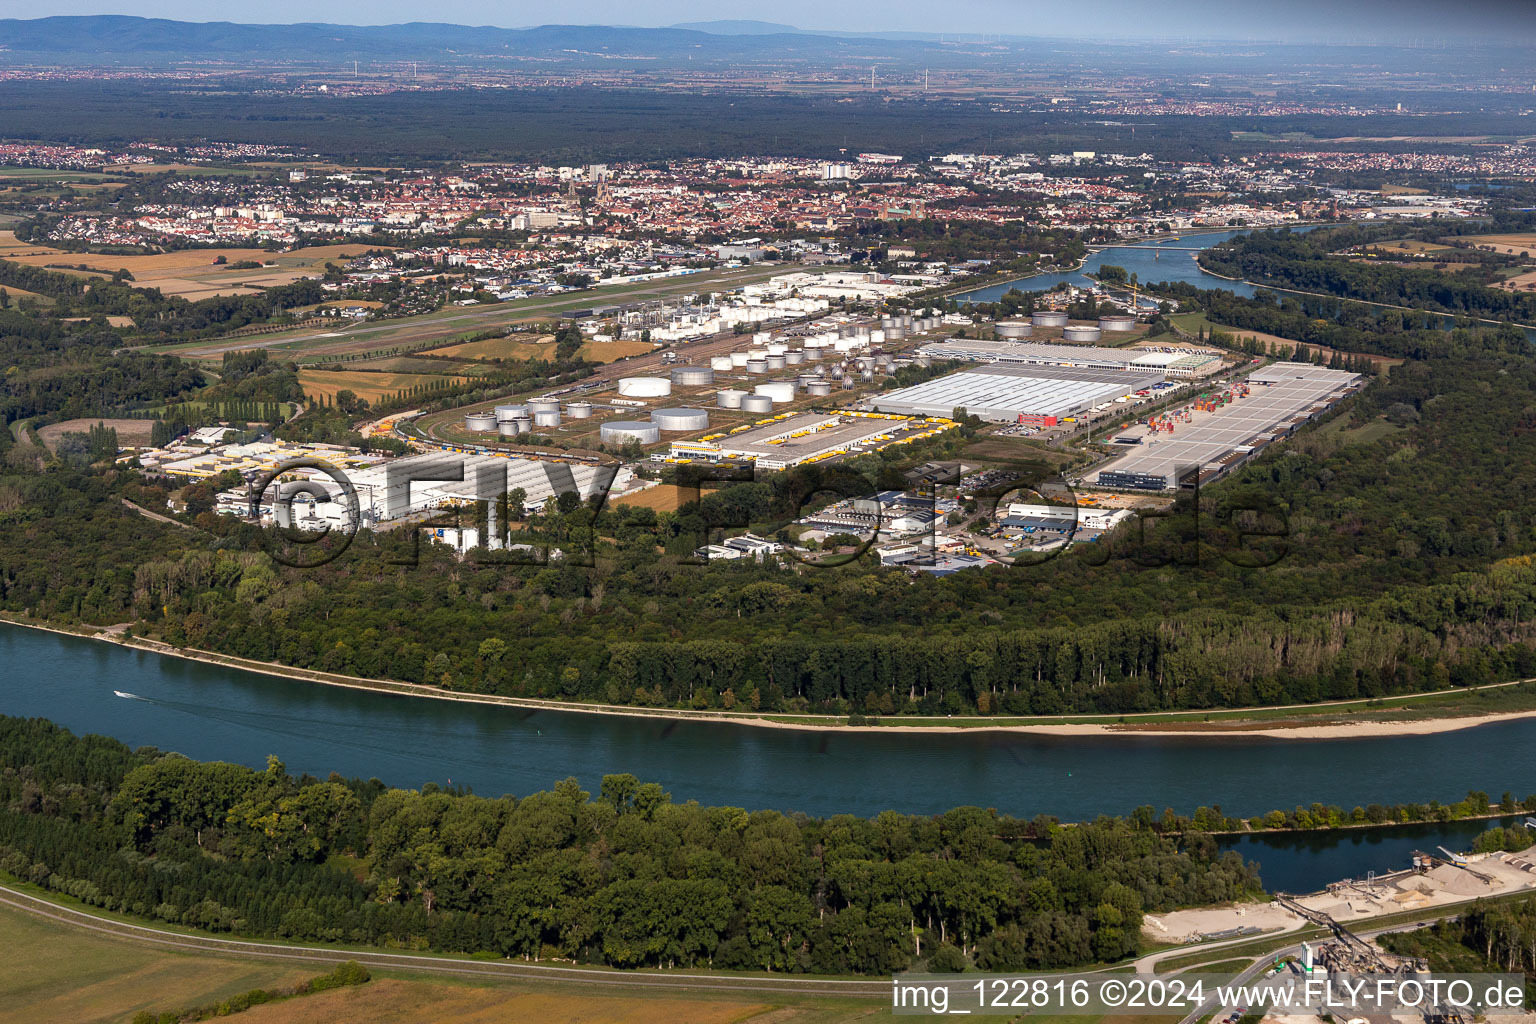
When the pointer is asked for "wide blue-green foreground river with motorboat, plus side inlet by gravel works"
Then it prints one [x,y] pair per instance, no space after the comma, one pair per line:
[214,713]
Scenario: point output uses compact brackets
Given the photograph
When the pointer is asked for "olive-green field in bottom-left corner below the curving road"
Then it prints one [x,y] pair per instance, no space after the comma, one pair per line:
[61,974]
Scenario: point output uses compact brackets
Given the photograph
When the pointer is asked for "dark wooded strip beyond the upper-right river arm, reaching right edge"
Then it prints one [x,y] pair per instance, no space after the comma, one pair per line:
[1305,262]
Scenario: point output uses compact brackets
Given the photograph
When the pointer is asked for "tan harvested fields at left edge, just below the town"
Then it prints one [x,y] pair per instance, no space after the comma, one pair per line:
[193,274]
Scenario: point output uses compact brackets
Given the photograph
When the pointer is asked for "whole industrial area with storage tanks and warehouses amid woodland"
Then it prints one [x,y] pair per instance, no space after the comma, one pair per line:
[839,374]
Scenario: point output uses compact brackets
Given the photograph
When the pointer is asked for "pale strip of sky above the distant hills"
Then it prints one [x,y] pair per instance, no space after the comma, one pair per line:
[1425,22]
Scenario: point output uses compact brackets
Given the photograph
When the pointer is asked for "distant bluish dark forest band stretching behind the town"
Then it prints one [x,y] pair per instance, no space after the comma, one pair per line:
[581,125]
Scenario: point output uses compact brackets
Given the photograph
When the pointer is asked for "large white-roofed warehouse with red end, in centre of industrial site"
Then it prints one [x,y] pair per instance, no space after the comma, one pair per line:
[1018,394]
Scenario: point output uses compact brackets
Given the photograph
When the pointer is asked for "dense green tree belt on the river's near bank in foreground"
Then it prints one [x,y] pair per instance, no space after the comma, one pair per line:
[627,879]
